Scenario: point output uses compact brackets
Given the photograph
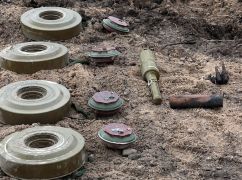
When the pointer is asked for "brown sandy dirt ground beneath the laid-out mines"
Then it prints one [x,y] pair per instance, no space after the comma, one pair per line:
[189,39]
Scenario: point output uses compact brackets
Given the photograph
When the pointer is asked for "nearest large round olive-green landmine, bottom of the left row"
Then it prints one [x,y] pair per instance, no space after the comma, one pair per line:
[42,152]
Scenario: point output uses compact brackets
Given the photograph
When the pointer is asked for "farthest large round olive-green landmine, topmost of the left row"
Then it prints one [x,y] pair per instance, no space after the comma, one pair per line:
[51,23]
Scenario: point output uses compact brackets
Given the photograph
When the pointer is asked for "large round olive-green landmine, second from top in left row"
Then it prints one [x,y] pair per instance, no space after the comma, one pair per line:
[30,57]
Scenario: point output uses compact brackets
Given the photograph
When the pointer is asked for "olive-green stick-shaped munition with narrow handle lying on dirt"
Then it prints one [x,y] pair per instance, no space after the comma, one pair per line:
[151,74]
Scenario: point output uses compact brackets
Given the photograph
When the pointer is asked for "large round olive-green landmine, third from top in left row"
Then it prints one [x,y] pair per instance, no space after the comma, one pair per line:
[33,101]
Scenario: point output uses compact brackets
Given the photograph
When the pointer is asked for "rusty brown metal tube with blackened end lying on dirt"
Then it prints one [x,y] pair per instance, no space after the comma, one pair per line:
[196,101]
